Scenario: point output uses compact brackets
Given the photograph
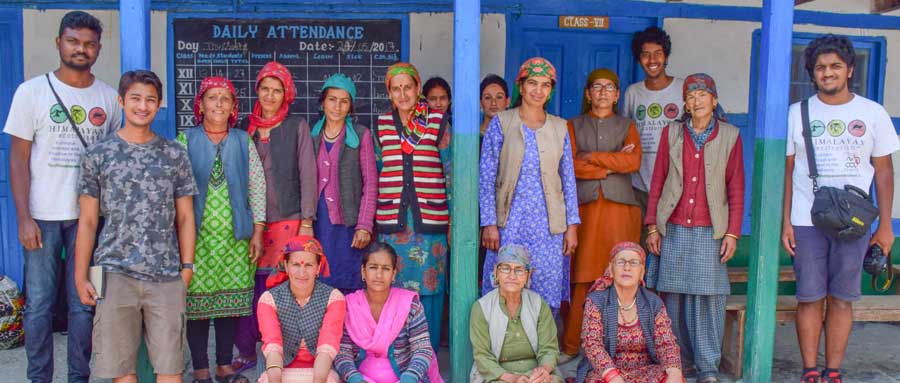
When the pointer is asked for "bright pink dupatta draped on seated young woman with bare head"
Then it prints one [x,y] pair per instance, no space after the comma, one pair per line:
[376,338]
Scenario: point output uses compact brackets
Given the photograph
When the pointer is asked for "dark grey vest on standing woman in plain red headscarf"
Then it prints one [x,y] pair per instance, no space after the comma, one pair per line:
[283,153]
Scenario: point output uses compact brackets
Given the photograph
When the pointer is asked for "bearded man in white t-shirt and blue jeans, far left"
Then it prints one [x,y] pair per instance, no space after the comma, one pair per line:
[45,159]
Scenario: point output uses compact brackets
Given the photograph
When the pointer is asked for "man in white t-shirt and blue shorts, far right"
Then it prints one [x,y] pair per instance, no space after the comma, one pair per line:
[853,139]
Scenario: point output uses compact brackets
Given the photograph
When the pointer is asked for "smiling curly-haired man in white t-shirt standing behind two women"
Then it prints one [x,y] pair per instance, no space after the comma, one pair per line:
[652,104]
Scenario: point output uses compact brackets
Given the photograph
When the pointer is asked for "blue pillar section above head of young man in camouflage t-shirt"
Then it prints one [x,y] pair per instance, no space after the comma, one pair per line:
[134,25]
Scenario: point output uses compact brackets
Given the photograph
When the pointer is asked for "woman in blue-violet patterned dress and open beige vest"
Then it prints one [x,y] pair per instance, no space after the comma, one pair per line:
[527,185]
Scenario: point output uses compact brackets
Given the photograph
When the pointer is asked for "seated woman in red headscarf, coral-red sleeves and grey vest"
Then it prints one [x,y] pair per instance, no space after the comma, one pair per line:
[300,318]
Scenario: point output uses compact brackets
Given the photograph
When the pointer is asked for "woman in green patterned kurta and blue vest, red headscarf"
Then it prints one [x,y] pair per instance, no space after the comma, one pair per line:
[231,201]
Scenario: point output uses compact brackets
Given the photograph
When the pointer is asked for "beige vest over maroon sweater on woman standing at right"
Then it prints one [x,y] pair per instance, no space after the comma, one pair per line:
[715,156]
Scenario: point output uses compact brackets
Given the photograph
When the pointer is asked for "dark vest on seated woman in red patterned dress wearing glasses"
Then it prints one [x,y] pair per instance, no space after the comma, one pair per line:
[648,306]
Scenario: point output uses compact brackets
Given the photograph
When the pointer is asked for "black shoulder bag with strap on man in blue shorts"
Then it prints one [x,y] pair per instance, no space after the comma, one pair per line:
[846,214]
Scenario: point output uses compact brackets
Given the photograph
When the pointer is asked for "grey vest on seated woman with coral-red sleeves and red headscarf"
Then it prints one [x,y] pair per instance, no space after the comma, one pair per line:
[300,323]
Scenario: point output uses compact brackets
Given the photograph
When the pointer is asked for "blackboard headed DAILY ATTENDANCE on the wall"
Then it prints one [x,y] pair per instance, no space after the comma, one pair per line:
[311,49]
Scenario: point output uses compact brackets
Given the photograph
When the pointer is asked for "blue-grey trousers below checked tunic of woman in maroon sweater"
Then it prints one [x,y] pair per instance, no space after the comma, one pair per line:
[698,322]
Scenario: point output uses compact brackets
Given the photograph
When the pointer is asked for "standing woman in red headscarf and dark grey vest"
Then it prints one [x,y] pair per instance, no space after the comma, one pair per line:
[286,150]
